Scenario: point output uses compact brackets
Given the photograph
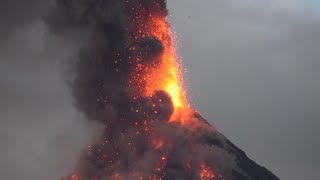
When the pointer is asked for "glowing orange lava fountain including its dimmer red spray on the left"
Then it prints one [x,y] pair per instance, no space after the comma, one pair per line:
[167,75]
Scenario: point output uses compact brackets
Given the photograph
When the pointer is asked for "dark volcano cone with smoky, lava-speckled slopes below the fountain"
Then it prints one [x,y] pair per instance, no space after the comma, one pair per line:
[177,161]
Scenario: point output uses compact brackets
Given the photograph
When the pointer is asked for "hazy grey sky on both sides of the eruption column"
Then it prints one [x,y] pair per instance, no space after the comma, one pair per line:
[253,71]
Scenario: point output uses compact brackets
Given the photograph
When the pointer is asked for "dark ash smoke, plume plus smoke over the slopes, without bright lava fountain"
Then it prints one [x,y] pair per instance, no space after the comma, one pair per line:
[101,90]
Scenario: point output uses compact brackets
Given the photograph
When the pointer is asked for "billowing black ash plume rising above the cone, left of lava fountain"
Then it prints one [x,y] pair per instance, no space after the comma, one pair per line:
[108,59]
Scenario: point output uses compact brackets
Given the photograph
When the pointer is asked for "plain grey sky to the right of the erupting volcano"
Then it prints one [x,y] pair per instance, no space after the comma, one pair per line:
[253,71]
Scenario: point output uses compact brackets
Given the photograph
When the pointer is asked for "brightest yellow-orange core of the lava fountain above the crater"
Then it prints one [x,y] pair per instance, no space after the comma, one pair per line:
[168,76]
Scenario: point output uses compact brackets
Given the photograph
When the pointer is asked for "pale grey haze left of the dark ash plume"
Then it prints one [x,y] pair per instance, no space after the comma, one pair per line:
[41,134]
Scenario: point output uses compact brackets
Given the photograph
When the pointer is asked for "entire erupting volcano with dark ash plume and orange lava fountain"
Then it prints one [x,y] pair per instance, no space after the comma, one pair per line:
[129,79]
